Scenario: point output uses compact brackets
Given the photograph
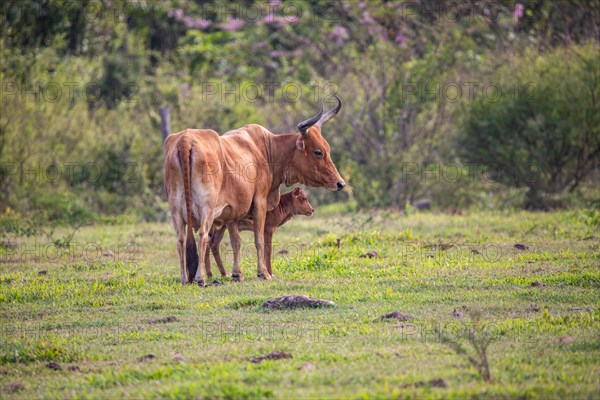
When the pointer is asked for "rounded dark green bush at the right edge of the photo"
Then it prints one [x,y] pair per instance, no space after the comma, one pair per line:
[546,136]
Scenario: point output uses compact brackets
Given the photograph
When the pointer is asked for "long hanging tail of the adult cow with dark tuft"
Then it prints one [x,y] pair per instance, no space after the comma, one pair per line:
[184,151]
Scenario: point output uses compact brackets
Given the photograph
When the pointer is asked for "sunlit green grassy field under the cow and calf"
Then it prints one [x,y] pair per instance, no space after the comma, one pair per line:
[77,322]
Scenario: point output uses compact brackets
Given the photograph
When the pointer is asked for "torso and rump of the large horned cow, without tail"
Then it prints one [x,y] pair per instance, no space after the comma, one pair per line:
[227,170]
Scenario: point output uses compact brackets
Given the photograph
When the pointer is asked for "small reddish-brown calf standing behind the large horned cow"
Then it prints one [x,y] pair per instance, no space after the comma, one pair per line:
[290,204]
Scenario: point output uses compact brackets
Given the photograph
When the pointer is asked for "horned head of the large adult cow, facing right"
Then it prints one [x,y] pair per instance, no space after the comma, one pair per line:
[312,158]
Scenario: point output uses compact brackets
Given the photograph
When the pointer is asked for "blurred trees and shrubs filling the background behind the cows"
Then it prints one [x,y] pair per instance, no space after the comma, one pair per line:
[82,83]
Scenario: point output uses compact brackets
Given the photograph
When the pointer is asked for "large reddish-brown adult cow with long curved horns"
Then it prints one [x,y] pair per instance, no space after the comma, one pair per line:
[213,180]
